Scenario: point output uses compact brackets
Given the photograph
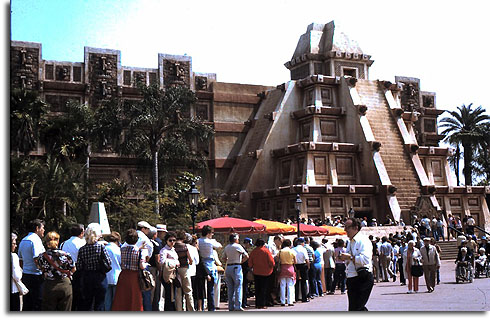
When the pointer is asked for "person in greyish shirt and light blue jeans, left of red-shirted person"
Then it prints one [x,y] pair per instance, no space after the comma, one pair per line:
[234,255]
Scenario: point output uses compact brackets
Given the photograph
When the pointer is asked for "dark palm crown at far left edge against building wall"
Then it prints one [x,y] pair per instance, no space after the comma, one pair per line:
[27,116]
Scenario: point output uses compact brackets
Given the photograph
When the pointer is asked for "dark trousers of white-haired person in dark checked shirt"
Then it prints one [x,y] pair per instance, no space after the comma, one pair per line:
[93,291]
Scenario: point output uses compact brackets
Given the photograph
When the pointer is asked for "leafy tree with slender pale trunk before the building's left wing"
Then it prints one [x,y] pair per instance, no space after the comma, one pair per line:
[157,125]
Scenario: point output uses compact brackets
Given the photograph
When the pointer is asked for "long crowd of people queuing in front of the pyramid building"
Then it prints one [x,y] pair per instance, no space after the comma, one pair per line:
[91,271]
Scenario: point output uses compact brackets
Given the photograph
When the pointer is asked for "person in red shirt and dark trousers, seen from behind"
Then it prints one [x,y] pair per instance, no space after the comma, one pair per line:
[262,264]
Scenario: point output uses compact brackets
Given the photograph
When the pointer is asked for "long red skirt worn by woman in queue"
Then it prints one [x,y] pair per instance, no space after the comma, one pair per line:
[128,293]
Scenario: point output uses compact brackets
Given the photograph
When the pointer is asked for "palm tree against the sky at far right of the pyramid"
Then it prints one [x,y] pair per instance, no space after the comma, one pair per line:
[462,128]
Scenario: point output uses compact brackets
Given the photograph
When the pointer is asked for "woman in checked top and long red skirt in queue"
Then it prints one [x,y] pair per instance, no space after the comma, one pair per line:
[128,293]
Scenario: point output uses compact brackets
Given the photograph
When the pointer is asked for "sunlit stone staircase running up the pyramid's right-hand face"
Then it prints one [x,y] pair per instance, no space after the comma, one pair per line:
[397,162]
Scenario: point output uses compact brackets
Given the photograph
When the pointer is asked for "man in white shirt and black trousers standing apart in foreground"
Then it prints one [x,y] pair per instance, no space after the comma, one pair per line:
[358,258]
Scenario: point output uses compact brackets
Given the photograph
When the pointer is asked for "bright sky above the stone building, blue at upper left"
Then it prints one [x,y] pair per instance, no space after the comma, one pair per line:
[444,43]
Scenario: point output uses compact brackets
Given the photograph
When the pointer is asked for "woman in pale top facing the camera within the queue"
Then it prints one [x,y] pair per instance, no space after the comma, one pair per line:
[169,261]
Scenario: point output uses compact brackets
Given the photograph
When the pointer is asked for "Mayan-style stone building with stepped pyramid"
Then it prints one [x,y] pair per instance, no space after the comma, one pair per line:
[330,134]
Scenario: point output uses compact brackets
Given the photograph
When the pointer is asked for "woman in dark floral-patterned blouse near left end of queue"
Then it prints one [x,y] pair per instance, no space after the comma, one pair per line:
[57,267]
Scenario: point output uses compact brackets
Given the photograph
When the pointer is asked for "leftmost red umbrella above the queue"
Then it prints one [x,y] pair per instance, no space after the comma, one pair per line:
[227,224]
